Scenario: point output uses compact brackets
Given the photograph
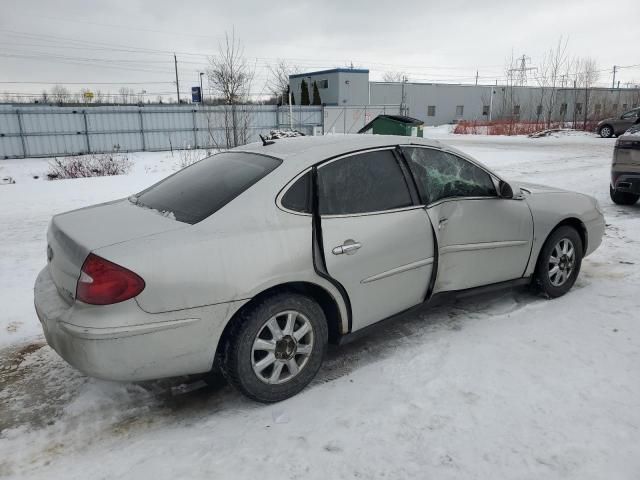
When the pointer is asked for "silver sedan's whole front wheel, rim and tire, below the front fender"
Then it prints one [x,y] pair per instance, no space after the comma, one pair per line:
[559,262]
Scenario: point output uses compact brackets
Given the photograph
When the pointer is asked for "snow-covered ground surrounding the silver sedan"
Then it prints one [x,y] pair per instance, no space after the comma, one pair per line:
[505,386]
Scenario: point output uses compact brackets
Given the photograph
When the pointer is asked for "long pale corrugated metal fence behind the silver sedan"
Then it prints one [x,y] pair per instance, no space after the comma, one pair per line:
[45,131]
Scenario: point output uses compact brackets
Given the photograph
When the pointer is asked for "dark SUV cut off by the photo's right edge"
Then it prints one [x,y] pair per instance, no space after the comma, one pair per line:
[624,188]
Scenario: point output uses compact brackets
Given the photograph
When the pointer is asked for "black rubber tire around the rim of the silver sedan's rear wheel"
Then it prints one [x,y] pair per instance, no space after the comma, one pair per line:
[238,355]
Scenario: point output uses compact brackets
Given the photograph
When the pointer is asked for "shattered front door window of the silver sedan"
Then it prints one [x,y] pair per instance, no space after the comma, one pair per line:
[441,175]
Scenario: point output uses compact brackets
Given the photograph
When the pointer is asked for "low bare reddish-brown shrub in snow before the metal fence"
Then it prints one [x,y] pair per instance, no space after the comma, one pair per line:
[92,165]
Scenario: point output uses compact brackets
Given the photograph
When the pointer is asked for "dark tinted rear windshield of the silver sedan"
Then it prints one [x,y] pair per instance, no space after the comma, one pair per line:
[194,193]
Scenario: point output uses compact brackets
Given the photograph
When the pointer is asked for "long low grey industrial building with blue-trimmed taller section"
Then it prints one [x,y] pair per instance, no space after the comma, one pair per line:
[439,103]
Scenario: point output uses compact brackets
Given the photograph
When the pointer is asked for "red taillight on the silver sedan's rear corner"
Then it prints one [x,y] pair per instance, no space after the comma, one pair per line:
[102,282]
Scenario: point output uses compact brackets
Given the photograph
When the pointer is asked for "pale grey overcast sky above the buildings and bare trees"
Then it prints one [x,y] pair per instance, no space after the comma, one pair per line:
[82,42]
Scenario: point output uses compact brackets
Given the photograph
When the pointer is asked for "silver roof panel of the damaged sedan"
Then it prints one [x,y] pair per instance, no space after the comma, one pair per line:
[307,151]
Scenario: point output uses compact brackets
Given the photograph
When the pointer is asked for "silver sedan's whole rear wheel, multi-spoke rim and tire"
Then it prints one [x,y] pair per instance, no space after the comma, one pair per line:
[276,347]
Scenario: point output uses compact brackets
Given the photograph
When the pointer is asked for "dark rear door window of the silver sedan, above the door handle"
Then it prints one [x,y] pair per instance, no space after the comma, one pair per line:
[362,183]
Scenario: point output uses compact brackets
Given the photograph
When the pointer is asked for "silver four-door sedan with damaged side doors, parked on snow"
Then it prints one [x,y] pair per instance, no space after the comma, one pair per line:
[256,258]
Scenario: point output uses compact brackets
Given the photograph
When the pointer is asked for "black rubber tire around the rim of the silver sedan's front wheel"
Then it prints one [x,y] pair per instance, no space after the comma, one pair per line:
[542,279]
